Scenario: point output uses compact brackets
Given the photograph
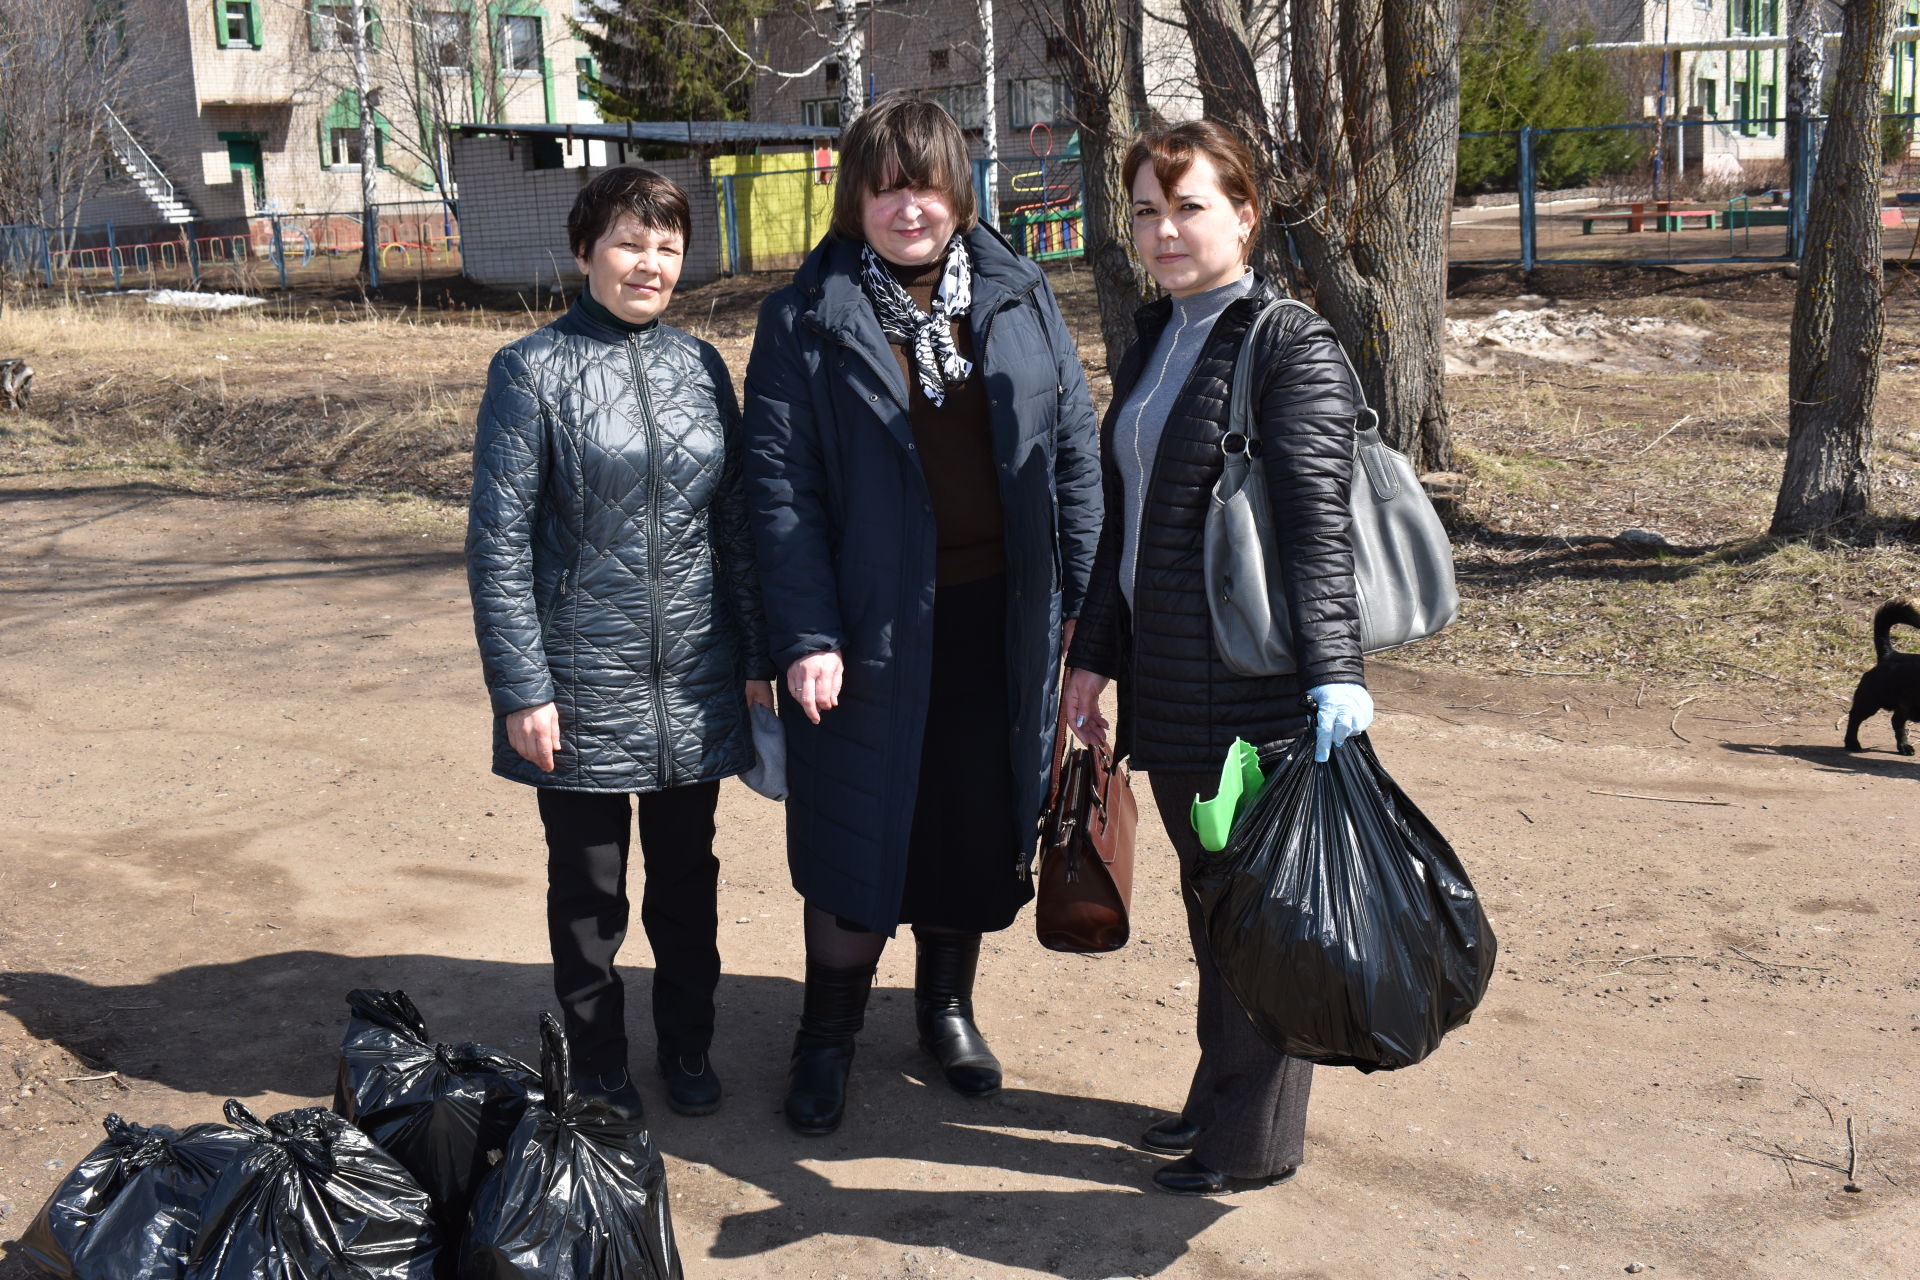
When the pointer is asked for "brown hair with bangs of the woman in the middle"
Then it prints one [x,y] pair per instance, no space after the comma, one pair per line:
[903,141]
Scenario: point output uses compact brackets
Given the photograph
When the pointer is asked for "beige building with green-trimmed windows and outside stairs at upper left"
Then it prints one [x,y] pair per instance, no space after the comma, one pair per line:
[251,107]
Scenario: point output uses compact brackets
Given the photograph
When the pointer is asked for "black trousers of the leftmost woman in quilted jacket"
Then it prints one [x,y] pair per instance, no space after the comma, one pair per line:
[588,840]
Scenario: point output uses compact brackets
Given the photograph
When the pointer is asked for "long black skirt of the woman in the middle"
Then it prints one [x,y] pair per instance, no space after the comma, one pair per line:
[965,863]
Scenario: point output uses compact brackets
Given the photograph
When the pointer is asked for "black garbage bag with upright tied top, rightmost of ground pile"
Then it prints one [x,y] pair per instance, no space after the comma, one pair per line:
[579,1197]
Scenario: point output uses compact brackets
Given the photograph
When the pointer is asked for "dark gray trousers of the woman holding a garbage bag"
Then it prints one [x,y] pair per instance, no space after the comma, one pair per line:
[1249,1101]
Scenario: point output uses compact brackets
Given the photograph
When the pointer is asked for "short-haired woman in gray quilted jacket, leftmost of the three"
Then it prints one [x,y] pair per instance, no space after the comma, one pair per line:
[619,625]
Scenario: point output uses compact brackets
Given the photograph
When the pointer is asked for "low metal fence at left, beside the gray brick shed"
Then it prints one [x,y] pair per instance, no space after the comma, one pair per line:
[412,241]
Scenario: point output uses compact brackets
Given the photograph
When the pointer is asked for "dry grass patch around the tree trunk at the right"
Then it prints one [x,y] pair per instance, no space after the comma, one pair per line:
[1558,467]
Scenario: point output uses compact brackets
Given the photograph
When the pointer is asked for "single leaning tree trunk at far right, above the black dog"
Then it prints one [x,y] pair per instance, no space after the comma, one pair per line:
[1838,314]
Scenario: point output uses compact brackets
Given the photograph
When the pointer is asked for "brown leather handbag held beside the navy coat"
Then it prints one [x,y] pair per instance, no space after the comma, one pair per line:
[1086,878]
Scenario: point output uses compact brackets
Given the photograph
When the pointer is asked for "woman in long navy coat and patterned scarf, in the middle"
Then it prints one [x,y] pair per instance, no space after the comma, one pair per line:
[924,486]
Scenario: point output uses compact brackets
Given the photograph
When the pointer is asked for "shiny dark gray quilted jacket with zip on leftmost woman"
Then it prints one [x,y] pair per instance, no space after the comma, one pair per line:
[610,557]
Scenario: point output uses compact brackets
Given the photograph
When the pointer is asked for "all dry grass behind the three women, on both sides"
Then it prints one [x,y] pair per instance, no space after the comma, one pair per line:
[1558,463]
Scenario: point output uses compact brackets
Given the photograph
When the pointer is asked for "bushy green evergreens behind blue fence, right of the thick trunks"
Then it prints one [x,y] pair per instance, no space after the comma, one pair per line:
[1510,80]
